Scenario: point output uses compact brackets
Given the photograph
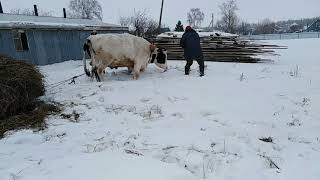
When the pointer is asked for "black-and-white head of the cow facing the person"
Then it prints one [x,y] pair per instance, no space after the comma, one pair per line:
[158,57]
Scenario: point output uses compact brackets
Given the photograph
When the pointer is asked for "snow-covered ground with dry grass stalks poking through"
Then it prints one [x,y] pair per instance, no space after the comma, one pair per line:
[168,126]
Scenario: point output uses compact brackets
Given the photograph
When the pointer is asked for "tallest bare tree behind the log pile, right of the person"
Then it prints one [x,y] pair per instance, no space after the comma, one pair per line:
[229,20]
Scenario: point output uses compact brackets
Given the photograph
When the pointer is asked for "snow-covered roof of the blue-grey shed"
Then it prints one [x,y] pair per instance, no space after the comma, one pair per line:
[25,21]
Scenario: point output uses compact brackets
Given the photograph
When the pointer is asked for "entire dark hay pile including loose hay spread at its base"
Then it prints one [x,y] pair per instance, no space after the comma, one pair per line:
[20,86]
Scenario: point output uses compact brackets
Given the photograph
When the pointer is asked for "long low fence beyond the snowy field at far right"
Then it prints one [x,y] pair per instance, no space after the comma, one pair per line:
[303,35]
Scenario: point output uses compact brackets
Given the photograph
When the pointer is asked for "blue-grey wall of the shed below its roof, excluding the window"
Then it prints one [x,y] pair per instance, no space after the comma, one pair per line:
[47,46]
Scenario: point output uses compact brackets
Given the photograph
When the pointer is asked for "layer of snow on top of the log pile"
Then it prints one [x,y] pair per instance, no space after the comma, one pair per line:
[201,34]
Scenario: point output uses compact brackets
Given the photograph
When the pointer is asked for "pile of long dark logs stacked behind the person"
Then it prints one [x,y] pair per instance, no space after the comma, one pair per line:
[221,49]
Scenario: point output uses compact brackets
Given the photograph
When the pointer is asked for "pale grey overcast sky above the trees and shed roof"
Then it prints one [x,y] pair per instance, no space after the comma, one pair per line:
[174,10]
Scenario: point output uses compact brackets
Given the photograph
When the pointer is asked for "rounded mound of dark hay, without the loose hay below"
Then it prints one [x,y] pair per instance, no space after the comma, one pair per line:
[20,85]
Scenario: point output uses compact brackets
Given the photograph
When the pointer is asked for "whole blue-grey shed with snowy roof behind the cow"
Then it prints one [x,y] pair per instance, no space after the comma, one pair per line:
[48,40]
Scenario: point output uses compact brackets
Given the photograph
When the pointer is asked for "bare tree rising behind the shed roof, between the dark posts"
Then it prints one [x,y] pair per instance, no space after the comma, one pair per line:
[86,9]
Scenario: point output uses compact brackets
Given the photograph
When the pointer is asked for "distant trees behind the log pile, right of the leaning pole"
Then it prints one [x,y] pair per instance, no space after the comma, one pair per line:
[230,22]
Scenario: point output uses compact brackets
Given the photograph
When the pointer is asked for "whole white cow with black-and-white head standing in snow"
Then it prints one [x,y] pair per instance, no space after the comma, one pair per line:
[121,50]
